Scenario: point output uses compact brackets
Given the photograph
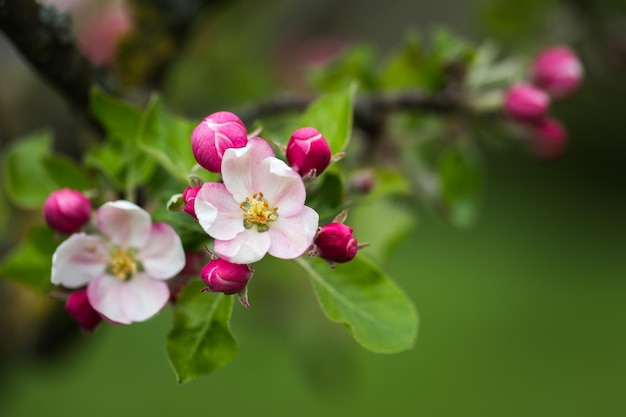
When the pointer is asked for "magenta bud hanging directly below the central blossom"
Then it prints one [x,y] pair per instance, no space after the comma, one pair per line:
[223,276]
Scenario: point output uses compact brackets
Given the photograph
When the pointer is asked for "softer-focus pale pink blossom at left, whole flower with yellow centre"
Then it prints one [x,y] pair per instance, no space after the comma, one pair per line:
[125,270]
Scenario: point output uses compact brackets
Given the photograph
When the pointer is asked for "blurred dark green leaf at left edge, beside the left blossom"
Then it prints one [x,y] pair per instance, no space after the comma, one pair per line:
[30,263]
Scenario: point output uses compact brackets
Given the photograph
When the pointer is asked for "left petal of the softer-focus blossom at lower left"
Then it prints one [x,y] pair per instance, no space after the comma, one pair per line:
[78,260]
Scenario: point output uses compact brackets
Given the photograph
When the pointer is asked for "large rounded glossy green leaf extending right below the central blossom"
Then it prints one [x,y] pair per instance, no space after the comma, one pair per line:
[361,297]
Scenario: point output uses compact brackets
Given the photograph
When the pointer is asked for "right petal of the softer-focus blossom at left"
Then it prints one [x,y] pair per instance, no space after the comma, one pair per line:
[163,256]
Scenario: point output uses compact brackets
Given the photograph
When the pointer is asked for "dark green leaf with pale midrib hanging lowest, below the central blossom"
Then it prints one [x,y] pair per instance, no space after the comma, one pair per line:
[200,340]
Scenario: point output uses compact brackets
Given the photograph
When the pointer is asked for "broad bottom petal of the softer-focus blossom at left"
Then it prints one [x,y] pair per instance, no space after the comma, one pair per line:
[125,302]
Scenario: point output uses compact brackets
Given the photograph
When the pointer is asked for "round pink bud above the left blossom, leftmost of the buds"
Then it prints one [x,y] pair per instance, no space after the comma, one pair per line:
[66,210]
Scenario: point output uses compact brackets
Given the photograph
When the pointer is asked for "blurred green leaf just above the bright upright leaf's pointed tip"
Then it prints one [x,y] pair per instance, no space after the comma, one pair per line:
[356,64]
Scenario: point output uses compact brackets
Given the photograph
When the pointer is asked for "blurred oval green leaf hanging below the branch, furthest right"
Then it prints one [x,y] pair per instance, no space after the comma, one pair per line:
[461,172]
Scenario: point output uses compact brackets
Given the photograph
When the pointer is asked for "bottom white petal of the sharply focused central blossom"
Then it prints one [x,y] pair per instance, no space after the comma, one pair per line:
[248,247]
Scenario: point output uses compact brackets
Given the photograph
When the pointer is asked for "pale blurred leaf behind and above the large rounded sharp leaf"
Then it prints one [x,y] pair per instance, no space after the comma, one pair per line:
[382,224]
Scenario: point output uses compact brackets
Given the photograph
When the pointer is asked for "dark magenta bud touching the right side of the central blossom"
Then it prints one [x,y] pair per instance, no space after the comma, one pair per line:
[334,242]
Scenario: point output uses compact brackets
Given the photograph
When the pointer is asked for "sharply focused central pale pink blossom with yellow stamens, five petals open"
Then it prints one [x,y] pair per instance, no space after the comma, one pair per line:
[258,209]
